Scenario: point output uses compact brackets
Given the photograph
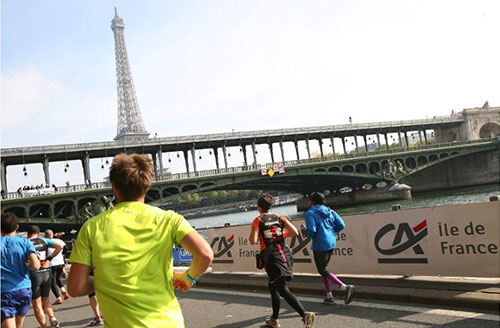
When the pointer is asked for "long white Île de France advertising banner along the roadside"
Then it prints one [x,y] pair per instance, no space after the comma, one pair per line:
[455,240]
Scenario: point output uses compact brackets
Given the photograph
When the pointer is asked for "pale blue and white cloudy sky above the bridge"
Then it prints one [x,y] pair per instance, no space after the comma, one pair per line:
[213,66]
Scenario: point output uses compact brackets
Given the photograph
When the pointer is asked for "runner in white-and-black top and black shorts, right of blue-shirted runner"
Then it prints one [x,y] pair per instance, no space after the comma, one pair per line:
[41,279]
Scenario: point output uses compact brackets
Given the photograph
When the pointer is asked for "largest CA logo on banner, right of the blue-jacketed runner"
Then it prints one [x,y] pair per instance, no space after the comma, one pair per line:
[413,237]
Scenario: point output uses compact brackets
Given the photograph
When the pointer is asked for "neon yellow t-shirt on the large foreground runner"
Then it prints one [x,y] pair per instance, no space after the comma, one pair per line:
[130,247]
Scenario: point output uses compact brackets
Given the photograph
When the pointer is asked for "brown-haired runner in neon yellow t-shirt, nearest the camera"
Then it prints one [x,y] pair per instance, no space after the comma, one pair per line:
[130,247]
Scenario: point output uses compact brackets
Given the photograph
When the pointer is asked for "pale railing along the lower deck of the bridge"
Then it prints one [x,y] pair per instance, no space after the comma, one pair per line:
[238,169]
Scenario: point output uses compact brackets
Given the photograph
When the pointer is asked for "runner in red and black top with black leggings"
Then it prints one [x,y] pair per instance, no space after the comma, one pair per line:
[270,230]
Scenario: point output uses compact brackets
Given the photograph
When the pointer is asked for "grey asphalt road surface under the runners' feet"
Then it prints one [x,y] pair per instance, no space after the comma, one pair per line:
[206,308]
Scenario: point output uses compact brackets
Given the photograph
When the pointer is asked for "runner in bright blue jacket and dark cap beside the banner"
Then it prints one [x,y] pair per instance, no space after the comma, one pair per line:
[322,225]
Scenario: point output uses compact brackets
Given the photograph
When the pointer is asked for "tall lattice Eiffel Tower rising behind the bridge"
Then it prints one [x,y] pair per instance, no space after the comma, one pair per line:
[130,124]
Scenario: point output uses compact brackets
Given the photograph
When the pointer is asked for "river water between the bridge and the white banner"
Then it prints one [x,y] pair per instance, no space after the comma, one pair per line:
[430,199]
